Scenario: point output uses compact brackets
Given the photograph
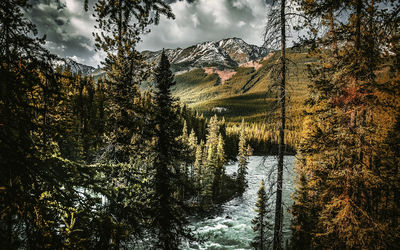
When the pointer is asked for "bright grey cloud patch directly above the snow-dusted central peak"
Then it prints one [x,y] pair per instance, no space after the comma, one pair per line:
[205,20]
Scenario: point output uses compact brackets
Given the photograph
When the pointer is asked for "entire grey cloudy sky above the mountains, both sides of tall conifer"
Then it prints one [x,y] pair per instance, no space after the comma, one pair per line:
[69,29]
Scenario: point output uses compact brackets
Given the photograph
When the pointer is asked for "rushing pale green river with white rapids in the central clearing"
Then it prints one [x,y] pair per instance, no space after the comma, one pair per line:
[232,228]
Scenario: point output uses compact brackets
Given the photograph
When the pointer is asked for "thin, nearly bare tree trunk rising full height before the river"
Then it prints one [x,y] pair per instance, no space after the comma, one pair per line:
[278,203]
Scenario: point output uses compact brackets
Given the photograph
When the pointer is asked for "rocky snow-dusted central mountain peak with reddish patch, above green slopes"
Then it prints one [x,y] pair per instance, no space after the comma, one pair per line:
[224,54]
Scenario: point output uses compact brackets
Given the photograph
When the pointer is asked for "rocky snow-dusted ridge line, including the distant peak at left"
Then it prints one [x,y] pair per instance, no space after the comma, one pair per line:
[225,54]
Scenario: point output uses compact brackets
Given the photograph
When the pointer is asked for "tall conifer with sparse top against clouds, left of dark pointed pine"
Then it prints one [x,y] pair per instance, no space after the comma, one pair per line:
[125,69]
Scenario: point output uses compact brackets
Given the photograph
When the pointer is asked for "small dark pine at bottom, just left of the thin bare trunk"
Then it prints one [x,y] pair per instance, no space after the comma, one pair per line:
[261,223]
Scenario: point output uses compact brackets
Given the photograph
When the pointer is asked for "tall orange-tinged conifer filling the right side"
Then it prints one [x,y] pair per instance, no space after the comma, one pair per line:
[347,186]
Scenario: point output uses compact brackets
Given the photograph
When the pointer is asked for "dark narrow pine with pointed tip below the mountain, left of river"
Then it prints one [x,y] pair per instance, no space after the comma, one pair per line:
[169,218]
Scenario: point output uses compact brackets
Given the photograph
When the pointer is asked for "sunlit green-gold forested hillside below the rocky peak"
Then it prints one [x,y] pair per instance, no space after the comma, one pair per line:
[251,95]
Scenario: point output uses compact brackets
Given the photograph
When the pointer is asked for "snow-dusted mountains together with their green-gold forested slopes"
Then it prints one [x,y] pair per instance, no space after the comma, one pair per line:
[232,79]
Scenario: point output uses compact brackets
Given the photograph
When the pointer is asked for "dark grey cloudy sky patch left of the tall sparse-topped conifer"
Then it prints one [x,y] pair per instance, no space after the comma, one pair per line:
[68,29]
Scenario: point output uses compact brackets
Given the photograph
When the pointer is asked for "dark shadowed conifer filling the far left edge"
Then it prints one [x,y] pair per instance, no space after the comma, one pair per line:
[25,134]
